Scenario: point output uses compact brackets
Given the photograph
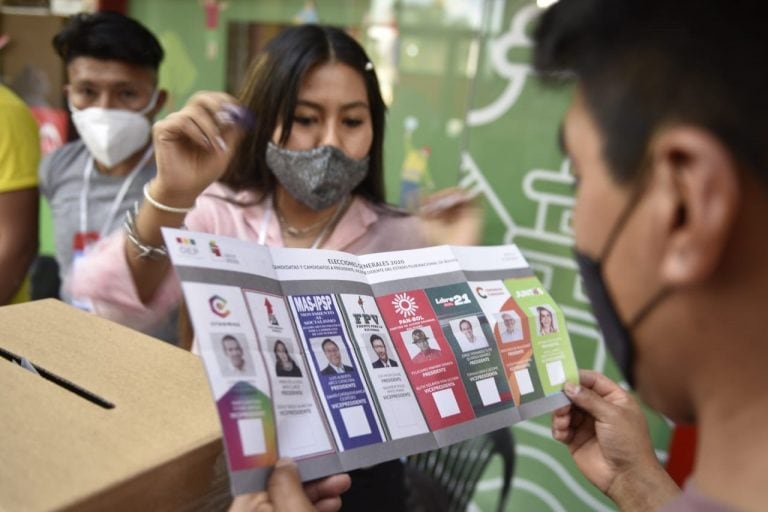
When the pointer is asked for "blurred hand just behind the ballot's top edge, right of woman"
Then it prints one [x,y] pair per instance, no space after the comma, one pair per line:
[451,217]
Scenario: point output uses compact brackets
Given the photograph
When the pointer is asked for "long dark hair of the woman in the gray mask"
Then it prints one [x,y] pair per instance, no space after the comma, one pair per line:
[271,90]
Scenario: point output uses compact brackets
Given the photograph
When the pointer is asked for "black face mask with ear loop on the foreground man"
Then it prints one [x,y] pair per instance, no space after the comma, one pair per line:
[616,334]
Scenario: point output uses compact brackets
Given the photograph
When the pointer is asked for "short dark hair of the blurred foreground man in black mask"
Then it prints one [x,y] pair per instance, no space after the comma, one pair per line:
[642,64]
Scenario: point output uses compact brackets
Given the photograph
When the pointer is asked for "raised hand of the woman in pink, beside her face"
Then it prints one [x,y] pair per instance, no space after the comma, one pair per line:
[193,147]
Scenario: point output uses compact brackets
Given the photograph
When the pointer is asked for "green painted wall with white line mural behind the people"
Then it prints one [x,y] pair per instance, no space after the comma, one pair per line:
[460,68]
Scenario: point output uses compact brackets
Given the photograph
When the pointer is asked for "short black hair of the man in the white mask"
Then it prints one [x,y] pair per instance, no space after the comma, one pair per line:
[108,35]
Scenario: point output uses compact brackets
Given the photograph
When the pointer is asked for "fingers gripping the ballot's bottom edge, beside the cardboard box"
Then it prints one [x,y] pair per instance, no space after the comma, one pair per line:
[284,493]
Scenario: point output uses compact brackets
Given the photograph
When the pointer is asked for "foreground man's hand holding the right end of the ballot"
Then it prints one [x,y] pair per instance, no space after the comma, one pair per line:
[606,433]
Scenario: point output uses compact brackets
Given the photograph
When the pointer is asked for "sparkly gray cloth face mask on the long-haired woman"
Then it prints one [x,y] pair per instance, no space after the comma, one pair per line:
[318,177]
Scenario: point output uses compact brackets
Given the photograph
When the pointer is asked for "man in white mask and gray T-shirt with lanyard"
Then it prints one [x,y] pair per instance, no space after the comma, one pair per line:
[112,63]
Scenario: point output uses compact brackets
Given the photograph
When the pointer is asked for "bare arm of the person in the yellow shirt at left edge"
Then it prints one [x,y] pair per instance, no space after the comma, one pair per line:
[18,238]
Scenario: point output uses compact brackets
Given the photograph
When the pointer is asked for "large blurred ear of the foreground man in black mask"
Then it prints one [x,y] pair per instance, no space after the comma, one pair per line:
[701,181]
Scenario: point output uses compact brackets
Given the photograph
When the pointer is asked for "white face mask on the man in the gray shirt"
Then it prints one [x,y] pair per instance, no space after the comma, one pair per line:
[113,135]
